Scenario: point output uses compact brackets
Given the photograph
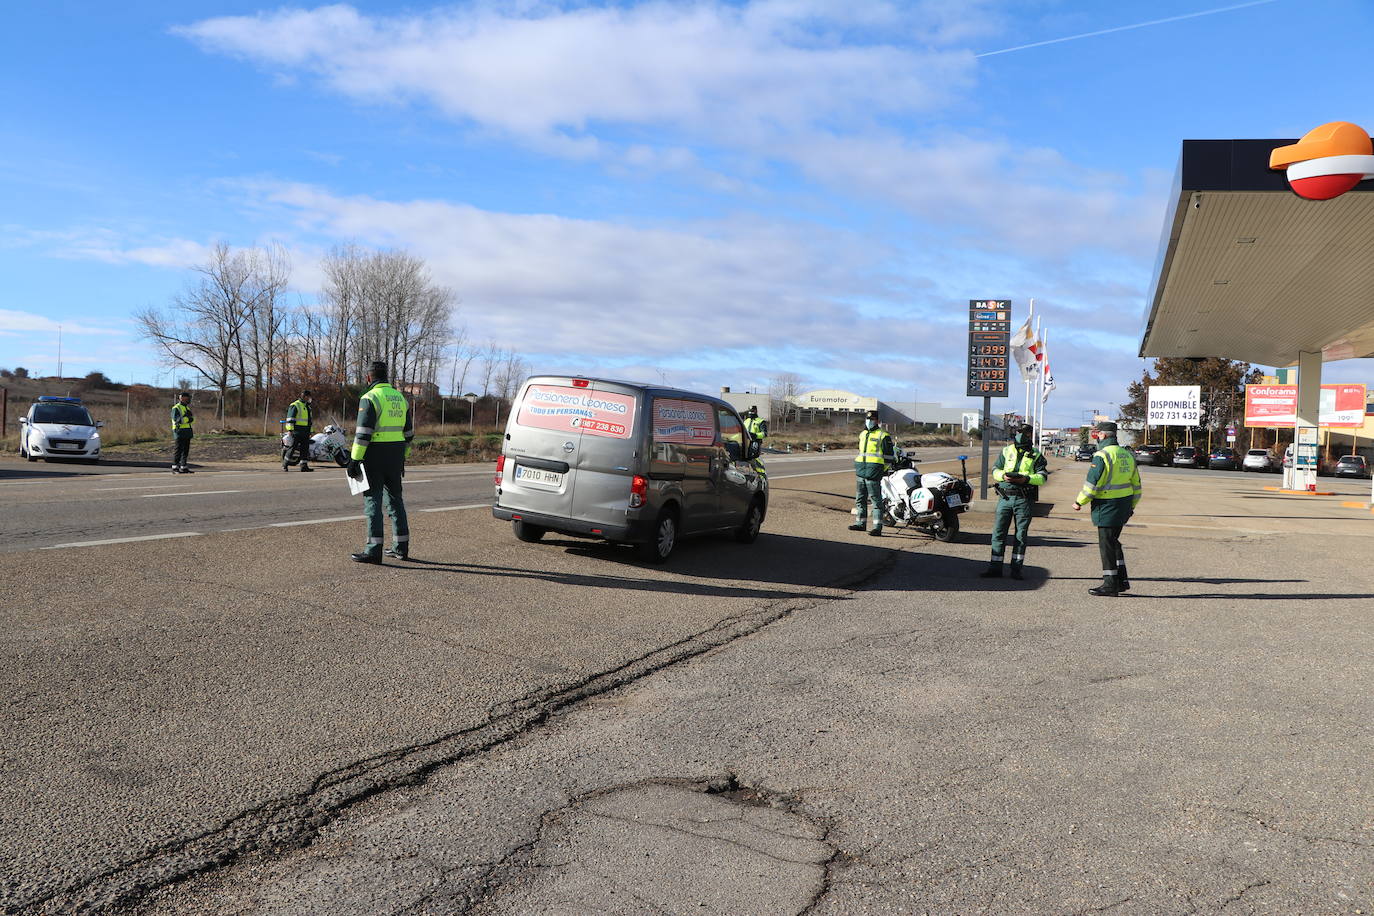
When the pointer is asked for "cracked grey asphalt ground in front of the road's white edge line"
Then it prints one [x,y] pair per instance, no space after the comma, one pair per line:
[822,723]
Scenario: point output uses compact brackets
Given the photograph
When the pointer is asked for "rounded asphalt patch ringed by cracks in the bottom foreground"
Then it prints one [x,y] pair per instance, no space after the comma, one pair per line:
[667,847]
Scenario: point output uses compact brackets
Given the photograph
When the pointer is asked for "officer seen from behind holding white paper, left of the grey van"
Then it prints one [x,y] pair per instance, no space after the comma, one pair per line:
[381,446]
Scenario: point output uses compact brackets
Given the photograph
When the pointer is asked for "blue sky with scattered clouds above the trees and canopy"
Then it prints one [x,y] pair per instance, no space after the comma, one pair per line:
[710,193]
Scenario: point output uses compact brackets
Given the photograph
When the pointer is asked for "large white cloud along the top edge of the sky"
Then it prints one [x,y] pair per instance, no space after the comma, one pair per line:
[542,71]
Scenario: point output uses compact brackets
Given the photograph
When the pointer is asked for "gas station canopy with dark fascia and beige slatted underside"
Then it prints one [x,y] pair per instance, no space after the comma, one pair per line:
[1251,271]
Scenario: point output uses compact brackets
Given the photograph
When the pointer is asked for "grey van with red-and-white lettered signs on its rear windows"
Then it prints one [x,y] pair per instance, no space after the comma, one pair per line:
[627,463]
